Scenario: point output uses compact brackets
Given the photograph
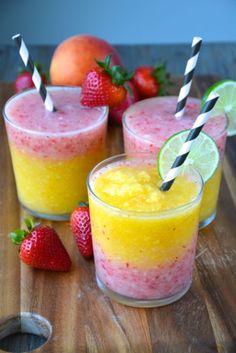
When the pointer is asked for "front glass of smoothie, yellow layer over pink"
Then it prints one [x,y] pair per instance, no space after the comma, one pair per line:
[144,247]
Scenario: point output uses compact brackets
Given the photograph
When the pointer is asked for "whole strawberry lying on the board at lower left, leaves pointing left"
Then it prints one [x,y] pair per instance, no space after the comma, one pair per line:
[41,247]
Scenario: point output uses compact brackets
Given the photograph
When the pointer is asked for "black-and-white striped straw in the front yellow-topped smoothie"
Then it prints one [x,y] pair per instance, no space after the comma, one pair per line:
[193,134]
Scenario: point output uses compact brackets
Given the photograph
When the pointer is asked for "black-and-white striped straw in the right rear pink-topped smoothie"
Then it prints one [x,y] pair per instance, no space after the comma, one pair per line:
[188,76]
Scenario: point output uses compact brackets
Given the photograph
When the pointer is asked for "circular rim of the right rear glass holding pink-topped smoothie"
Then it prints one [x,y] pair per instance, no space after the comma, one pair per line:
[135,134]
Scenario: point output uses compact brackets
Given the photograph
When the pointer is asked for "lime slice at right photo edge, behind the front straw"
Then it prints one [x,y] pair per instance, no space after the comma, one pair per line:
[226,102]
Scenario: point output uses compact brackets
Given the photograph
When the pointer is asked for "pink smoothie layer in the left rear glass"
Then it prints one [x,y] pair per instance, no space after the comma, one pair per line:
[70,131]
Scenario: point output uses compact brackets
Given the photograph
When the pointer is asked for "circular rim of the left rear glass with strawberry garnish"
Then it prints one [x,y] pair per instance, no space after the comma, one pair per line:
[102,117]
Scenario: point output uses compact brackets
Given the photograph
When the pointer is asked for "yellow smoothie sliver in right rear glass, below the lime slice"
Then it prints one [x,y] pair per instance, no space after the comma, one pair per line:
[210,195]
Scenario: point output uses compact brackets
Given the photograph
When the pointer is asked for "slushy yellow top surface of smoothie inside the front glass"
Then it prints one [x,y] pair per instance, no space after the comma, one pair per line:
[138,189]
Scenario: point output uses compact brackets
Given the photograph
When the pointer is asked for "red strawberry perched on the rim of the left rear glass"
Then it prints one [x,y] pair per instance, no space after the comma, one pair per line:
[104,85]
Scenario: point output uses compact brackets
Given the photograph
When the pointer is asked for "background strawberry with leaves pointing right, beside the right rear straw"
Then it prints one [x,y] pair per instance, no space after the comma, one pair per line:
[151,81]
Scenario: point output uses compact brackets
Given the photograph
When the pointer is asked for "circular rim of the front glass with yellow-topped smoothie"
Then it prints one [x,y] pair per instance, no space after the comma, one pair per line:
[141,214]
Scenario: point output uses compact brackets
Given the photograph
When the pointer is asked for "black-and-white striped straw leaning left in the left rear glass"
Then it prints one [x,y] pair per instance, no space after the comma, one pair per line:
[36,78]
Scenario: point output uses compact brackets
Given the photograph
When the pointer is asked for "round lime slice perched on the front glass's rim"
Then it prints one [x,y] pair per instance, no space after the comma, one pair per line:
[204,155]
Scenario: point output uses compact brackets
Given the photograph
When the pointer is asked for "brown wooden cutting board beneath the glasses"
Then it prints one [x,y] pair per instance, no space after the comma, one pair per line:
[84,320]
